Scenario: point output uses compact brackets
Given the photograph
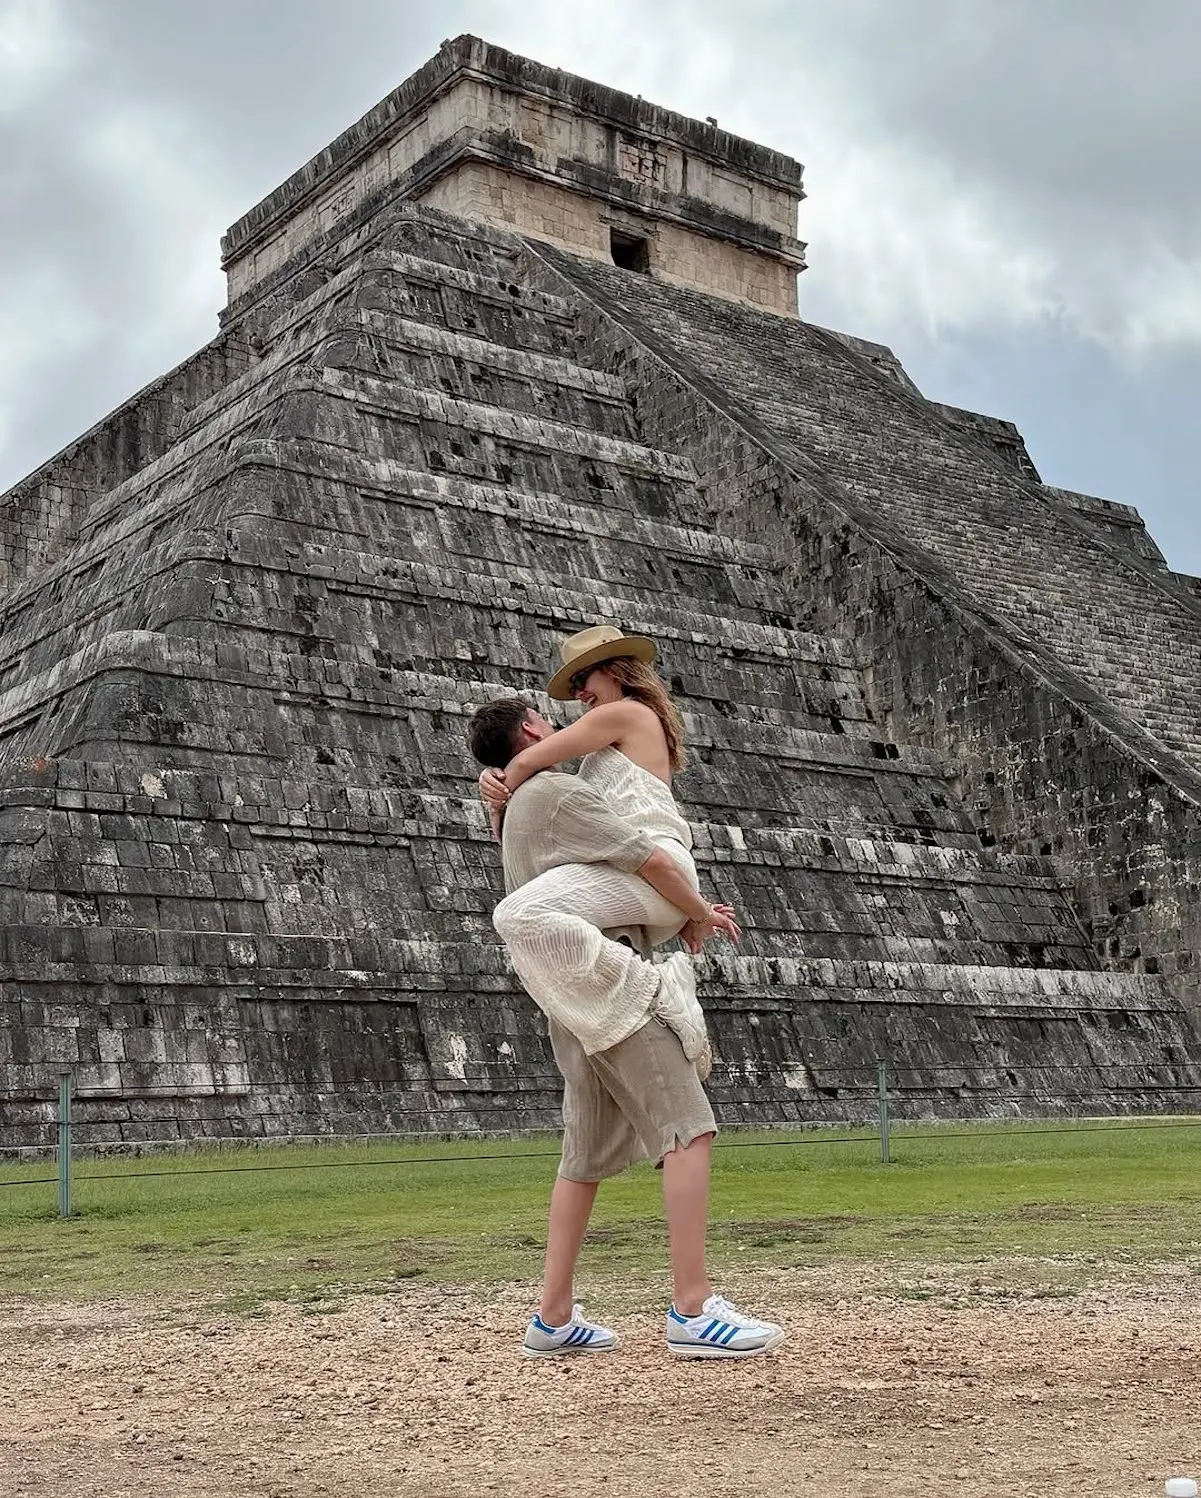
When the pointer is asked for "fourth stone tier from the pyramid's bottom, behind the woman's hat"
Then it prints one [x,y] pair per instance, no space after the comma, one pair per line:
[359,609]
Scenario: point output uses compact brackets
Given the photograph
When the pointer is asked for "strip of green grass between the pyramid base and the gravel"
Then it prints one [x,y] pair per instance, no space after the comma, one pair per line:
[384,1216]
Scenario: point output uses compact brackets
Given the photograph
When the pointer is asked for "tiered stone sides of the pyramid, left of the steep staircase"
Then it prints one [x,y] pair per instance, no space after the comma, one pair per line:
[246,879]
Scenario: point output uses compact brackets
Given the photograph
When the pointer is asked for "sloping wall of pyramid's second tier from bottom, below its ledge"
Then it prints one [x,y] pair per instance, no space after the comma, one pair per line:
[264,877]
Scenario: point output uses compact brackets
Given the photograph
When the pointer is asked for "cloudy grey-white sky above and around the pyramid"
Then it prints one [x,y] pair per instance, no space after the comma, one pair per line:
[1009,194]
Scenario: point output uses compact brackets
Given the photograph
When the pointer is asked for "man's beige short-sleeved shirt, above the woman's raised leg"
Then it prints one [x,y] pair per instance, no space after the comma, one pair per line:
[556,819]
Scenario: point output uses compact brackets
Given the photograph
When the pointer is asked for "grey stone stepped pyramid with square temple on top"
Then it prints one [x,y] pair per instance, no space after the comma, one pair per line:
[519,354]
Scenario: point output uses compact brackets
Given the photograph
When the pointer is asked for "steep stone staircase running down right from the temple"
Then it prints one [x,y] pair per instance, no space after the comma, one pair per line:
[1116,618]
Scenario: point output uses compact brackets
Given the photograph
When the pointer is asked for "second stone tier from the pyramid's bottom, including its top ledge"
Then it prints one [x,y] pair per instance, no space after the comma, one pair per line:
[279,856]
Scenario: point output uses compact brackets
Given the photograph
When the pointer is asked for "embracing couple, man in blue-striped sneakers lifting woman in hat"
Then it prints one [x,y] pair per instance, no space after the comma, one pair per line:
[598,871]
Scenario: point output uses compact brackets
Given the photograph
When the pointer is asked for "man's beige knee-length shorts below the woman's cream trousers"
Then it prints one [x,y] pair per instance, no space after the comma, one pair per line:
[637,1100]
